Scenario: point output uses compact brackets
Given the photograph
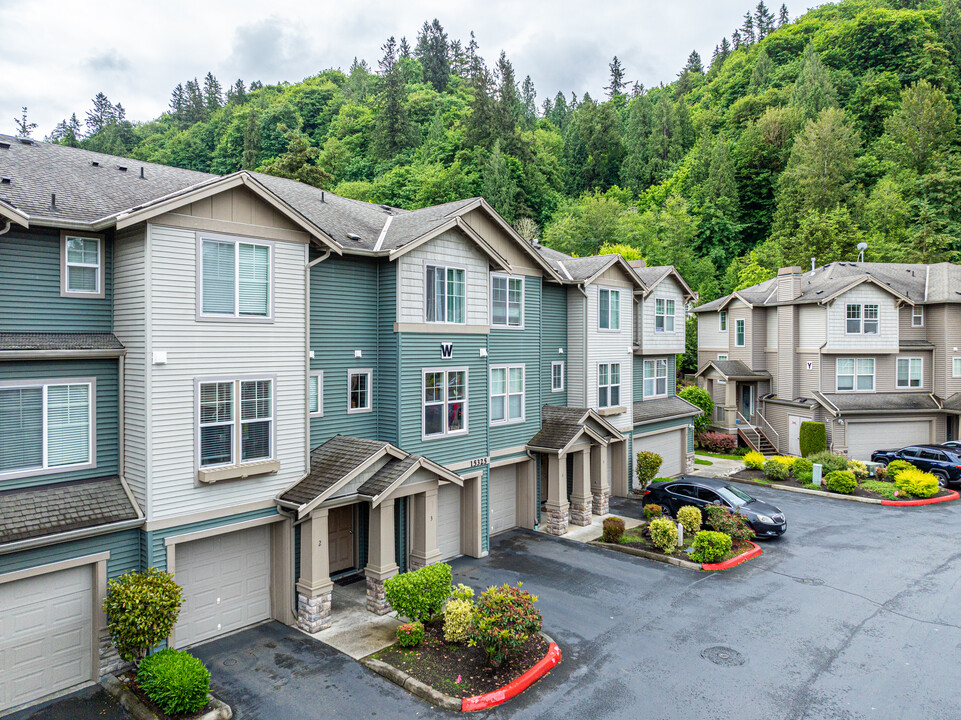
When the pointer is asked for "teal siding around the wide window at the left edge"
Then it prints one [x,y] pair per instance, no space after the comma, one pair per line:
[105,371]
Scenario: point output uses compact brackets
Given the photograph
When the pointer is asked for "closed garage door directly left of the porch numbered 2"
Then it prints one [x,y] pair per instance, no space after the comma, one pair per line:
[226,583]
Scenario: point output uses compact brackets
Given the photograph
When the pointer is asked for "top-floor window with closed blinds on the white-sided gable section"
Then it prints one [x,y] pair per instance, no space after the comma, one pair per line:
[235,278]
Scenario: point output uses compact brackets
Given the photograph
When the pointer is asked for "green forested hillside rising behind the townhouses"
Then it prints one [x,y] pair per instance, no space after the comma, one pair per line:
[798,139]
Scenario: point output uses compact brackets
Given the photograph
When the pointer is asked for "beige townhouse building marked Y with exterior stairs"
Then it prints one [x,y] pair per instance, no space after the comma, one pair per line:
[869,349]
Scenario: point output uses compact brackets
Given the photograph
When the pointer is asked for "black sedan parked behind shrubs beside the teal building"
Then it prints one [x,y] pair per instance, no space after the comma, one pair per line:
[765,520]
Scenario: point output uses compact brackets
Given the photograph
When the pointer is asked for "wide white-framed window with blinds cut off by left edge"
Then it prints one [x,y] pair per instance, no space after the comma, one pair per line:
[46,426]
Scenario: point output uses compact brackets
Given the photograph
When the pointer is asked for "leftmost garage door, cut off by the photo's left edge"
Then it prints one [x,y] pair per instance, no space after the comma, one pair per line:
[46,635]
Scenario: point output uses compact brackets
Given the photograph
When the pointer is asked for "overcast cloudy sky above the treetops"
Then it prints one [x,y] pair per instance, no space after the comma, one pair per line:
[57,55]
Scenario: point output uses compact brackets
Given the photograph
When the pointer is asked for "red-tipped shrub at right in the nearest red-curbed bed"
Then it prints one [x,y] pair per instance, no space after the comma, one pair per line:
[504,618]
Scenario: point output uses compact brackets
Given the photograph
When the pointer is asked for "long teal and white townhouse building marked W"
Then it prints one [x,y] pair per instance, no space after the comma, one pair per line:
[259,386]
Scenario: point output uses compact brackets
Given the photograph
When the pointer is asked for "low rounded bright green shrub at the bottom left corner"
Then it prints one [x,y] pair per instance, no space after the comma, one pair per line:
[175,680]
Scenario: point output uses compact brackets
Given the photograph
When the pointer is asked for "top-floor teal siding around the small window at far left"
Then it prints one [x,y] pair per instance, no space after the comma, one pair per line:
[30,272]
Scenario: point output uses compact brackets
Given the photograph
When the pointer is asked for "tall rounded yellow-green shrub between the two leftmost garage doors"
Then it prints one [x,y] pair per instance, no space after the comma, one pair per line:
[141,609]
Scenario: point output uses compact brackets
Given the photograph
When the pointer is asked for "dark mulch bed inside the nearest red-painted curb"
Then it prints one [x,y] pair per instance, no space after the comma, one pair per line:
[439,664]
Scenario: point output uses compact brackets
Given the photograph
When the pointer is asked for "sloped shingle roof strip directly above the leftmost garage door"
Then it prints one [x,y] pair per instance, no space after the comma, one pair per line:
[35,512]
